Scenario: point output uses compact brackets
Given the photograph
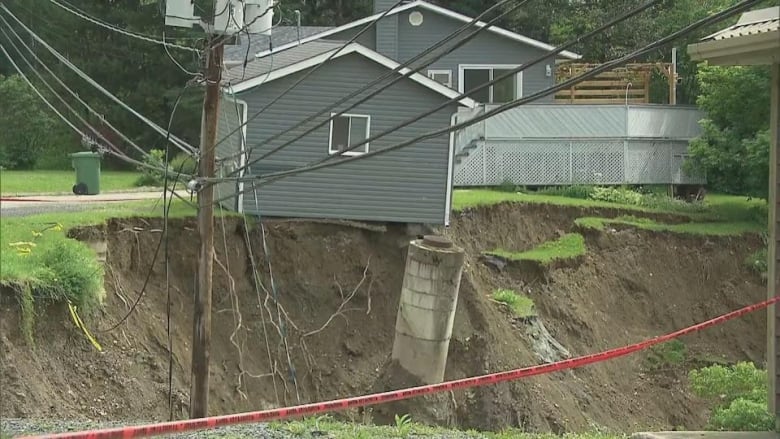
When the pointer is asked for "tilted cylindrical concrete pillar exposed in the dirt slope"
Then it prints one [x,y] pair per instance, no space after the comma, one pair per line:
[426,311]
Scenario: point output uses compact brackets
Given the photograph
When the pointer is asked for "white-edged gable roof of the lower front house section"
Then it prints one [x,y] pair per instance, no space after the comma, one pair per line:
[304,56]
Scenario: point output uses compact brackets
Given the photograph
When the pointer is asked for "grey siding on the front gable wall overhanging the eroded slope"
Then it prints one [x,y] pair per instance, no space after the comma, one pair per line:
[406,185]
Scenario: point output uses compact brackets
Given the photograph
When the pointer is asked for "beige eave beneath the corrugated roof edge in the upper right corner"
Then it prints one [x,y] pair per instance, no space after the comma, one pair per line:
[757,49]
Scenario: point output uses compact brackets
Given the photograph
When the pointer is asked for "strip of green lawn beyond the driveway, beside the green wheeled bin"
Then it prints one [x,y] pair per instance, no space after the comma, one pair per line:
[37,182]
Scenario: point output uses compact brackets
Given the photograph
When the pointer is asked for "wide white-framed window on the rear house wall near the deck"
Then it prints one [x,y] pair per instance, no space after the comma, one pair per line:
[506,90]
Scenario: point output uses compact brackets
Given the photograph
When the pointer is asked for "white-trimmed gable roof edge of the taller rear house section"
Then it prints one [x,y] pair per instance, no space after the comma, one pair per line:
[433,8]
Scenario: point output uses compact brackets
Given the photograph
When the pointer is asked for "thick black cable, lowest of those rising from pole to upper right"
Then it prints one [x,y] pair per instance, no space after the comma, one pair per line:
[714,18]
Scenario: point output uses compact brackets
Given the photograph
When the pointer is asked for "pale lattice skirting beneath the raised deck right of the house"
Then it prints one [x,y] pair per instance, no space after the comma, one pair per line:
[562,162]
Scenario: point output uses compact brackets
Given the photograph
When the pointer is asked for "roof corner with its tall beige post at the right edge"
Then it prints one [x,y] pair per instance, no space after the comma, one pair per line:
[755,40]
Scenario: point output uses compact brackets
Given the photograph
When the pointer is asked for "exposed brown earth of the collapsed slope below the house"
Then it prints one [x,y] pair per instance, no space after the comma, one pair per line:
[631,285]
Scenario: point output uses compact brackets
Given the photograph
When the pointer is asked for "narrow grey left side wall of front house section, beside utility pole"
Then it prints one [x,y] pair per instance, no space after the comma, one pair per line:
[227,151]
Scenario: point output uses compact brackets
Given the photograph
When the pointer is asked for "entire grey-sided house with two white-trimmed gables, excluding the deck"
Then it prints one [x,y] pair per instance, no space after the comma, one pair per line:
[409,185]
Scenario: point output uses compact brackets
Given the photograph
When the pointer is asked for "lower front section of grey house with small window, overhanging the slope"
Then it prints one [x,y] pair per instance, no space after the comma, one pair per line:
[408,185]
